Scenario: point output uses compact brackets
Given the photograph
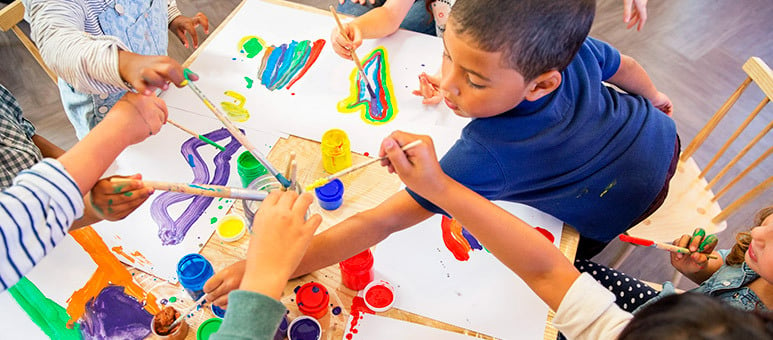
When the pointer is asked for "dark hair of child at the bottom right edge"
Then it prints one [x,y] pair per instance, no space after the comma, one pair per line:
[693,316]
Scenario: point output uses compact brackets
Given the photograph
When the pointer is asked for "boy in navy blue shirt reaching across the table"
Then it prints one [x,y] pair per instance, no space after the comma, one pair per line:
[545,132]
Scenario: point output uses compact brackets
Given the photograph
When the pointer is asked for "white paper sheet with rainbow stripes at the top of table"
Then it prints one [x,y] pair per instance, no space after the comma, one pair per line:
[309,107]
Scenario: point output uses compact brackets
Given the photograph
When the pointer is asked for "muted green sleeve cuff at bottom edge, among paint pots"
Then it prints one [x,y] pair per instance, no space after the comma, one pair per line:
[250,315]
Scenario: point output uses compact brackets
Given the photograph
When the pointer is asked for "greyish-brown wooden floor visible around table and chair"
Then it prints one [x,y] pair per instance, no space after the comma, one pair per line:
[692,49]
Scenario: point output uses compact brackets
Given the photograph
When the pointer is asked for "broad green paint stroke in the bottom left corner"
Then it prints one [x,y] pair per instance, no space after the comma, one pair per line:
[47,314]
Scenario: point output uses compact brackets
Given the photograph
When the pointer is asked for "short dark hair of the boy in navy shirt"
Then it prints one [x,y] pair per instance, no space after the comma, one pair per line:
[534,36]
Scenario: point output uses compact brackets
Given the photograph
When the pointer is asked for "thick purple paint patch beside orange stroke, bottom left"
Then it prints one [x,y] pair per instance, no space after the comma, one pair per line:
[115,315]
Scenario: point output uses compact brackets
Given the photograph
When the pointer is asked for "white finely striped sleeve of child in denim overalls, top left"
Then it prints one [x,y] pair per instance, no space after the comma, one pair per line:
[88,62]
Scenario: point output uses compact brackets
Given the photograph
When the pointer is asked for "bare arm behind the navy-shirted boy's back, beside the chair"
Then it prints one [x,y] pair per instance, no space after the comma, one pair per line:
[632,78]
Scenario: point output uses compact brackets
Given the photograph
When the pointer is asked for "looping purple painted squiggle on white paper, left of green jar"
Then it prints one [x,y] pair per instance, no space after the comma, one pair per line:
[172,231]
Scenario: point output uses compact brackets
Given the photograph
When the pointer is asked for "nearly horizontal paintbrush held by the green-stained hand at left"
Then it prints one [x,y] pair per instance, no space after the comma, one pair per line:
[201,189]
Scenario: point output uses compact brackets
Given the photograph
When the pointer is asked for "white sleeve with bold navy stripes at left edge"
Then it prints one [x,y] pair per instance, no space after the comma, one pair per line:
[35,214]
